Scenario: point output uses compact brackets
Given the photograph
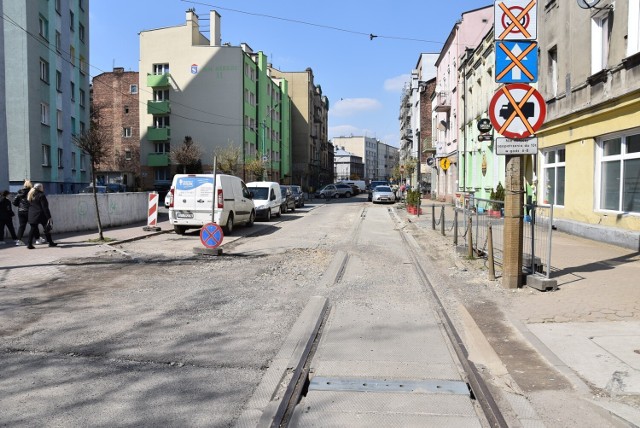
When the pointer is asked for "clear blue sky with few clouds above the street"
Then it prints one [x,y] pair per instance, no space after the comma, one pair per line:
[361,76]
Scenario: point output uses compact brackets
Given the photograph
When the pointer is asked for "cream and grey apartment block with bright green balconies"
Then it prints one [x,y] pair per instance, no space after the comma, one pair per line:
[221,96]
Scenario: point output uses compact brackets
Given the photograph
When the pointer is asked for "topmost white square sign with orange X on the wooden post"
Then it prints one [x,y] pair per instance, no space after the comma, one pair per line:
[515,20]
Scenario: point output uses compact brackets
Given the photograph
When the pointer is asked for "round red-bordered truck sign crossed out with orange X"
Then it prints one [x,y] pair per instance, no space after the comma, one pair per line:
[517,110]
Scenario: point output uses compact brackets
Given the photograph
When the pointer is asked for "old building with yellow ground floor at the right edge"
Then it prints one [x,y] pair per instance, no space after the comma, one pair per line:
[589,166]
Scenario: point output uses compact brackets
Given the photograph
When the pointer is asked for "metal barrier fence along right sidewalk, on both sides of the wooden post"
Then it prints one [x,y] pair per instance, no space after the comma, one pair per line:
[484,213]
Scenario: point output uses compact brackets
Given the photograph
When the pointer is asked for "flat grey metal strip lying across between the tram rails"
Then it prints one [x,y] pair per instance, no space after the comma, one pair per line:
[436,386]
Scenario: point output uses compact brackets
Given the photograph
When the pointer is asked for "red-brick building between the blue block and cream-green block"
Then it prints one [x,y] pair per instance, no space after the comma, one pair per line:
[114,95]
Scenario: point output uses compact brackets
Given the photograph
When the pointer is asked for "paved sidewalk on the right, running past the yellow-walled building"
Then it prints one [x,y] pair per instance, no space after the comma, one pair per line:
[589,327]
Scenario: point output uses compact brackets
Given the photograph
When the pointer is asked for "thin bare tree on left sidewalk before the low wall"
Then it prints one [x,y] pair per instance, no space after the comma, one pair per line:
[94,143]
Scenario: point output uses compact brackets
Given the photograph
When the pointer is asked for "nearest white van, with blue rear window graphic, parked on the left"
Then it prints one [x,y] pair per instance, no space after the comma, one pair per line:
[191,199]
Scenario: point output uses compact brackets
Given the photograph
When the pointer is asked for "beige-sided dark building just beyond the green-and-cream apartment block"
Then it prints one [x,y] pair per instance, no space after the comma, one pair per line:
[311,150]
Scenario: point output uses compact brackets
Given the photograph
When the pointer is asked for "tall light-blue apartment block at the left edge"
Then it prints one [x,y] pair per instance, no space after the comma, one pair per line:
[45,88]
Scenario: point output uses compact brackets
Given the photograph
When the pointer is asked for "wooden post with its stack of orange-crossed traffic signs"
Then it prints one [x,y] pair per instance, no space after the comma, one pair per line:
[517,111]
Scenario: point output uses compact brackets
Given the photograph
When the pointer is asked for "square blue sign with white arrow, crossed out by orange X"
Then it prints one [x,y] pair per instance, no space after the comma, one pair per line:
[516,62]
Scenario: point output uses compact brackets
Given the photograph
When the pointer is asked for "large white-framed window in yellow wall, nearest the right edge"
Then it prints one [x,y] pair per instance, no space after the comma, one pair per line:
[618,172]
